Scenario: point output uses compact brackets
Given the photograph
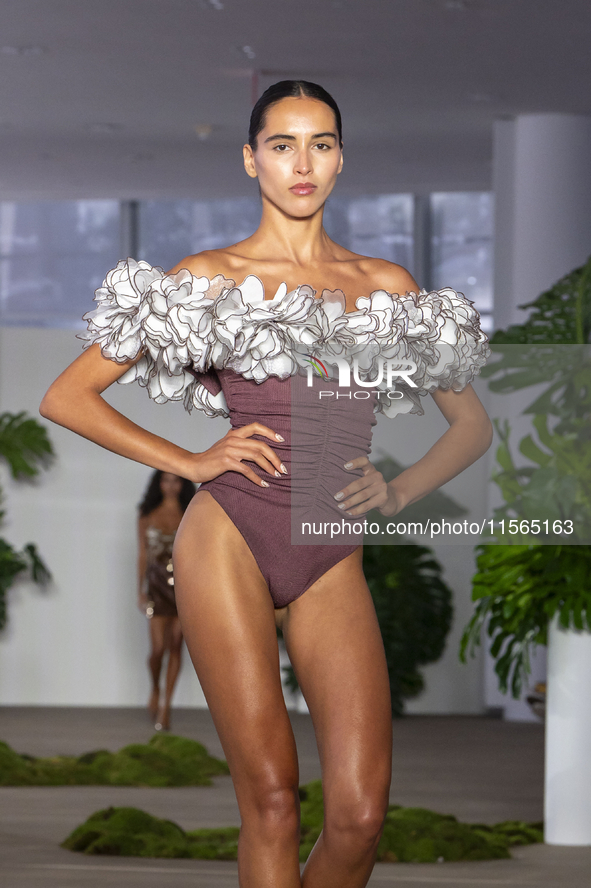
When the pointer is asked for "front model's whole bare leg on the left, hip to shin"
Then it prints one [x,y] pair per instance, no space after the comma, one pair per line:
[228,623]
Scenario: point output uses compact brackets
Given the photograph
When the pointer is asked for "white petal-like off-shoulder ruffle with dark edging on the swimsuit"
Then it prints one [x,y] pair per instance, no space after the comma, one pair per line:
[187,325]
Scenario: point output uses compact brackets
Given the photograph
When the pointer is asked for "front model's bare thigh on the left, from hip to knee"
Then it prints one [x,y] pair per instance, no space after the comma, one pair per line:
[228,623]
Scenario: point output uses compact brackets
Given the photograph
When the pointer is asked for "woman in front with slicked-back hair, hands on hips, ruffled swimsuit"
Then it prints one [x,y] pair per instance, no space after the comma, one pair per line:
[231,331]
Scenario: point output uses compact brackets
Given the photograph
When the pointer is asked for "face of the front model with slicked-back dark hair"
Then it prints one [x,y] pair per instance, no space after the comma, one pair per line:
[298,156]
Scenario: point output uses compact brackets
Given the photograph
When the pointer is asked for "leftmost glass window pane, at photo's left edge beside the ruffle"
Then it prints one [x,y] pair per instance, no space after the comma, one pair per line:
[53,255]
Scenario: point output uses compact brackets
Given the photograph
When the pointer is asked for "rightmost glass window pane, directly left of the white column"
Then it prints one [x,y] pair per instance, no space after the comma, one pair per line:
[462,247]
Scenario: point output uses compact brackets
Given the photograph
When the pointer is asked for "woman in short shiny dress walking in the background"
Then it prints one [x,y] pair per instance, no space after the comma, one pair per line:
[161,510]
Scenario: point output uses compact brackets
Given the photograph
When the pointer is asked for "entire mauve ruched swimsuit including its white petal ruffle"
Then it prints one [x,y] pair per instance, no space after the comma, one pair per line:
[229,351]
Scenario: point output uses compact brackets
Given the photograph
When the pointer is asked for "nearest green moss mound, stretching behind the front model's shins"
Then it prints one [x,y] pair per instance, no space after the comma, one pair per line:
[413,835]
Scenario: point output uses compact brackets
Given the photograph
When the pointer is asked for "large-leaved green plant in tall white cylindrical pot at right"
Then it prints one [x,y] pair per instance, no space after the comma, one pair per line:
[531,593]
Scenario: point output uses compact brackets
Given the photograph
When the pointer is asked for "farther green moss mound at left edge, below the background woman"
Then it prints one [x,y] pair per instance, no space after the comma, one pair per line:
[165,761]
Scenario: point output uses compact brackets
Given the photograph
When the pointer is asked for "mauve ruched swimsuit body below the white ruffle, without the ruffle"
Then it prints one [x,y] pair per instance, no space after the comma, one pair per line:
[325,433]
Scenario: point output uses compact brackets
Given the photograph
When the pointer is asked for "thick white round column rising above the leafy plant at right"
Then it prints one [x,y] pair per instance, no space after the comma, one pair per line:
[542,185]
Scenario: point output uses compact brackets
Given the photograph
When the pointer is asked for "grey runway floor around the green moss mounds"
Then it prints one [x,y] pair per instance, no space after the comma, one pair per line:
[479,769]
